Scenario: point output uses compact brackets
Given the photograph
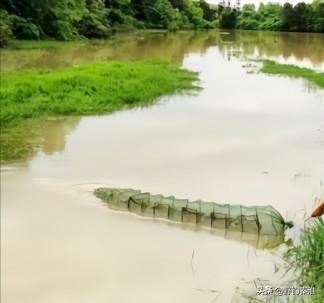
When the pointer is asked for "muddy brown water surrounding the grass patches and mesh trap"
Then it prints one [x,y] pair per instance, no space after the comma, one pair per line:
[244,138]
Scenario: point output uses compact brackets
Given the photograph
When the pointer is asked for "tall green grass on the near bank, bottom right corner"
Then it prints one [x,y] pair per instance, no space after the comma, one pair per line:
[308,259]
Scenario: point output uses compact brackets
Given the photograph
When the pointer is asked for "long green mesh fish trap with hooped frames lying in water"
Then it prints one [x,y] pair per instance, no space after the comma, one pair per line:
[263,220]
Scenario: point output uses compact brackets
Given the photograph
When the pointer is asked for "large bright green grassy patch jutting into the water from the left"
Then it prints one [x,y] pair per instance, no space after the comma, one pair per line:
[93,88]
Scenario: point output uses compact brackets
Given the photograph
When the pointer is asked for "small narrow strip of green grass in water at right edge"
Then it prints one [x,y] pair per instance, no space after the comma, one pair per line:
[271,67]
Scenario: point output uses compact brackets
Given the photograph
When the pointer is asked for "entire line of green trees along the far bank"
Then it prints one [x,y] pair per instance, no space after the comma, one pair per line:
[75,19]
